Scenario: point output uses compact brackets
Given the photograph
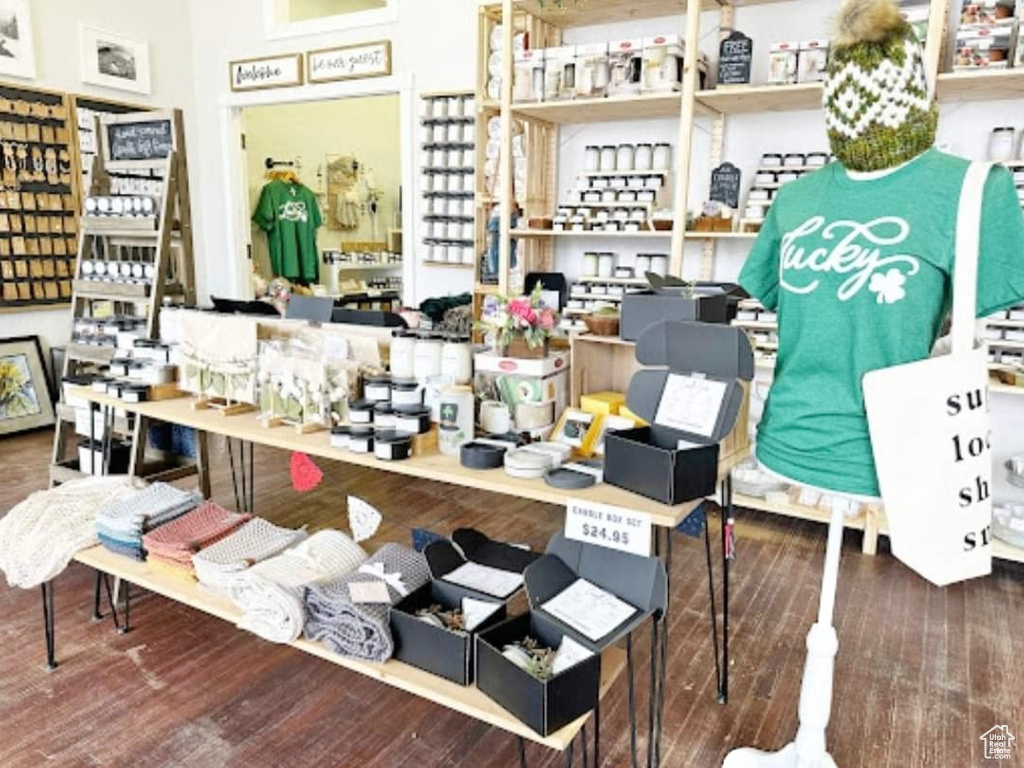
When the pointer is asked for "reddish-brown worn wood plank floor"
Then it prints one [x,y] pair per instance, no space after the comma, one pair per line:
[922,672]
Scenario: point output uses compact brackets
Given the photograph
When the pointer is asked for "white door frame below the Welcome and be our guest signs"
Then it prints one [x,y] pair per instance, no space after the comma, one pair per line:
[237,196]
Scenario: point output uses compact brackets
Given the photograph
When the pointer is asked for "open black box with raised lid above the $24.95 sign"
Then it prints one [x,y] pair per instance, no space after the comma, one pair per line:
[691,397]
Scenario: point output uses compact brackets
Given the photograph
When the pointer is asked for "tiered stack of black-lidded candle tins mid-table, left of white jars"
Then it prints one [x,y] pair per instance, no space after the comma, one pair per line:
[386,422]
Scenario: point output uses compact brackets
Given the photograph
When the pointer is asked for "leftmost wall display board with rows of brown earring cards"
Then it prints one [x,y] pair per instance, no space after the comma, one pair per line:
[38,199]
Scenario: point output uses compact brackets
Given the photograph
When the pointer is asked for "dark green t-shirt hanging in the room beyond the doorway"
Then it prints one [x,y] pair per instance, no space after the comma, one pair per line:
[290,217]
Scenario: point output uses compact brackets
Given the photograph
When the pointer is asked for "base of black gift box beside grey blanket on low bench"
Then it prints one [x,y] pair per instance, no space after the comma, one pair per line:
[435,650]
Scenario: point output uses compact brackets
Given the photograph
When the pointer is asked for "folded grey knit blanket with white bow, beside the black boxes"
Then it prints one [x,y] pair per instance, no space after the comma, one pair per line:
[362,630]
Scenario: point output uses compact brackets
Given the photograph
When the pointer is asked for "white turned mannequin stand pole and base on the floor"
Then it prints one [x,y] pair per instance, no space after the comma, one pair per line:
[808,751]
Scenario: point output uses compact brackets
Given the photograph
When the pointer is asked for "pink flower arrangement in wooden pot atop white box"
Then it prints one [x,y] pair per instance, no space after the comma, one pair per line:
[522,326]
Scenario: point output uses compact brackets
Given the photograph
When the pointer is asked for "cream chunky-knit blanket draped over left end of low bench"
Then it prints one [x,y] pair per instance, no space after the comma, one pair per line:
[40,536]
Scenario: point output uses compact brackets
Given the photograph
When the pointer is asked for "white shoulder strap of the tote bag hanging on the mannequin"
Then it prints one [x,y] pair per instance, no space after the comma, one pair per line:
[966,265]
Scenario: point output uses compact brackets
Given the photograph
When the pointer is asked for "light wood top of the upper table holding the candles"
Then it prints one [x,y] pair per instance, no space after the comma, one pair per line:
[436,467]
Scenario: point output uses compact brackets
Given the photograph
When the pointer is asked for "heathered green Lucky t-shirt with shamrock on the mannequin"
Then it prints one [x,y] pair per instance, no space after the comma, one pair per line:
[861,275]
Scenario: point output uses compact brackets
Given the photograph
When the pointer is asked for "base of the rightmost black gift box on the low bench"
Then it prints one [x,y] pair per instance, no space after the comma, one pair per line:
[544,706]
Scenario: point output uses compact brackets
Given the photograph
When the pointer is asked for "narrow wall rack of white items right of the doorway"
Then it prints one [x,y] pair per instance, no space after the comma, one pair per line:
[449,179]
